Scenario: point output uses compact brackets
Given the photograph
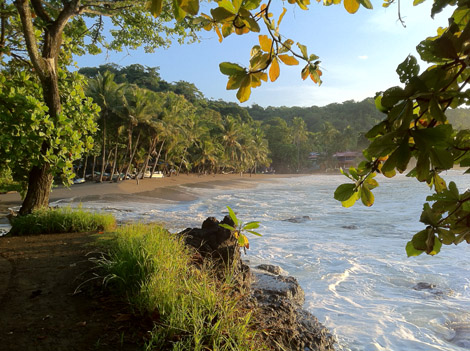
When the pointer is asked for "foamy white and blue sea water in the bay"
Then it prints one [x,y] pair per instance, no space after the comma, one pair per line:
[351,262]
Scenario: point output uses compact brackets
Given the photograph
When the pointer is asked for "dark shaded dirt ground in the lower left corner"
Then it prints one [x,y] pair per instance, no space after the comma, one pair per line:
[41,308]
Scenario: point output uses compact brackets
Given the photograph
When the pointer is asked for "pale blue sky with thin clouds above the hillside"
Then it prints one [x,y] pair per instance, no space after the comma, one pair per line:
[359,54]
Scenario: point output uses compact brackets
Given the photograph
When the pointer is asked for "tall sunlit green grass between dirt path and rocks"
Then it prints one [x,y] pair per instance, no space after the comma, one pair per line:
[191,309]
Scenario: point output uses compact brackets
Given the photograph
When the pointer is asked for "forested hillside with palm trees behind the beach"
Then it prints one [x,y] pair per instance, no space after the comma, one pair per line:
[223,136]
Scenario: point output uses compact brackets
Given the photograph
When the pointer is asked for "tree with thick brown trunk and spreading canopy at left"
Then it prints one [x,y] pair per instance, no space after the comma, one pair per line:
[43,34]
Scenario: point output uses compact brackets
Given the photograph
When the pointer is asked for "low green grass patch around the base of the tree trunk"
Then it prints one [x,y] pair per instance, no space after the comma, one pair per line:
[61,220]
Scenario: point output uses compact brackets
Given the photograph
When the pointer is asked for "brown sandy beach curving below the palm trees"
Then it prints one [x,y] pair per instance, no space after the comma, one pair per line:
[168,188]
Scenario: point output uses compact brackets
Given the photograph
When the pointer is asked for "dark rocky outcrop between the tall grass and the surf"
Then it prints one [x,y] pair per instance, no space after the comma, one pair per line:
[275,298]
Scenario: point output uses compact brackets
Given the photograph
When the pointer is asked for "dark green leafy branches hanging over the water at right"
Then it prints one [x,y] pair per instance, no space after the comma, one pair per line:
[417,127]
